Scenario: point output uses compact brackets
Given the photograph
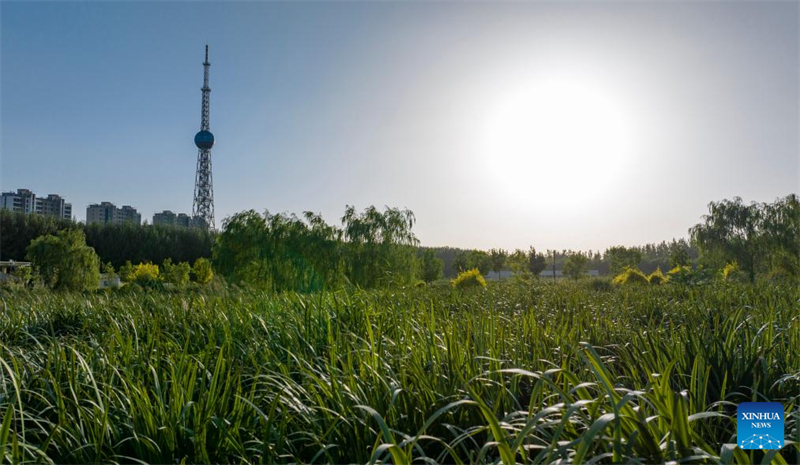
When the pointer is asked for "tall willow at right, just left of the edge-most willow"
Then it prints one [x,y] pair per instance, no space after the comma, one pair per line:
[732,232]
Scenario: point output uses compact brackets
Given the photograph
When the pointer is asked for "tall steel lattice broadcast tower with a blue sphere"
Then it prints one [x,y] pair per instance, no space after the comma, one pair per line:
[203,206]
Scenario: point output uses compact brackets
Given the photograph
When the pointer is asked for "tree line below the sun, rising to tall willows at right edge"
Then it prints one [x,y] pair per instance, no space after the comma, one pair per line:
[757,239]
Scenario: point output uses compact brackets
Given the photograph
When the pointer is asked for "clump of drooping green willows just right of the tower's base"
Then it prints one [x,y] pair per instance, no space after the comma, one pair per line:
[286,253]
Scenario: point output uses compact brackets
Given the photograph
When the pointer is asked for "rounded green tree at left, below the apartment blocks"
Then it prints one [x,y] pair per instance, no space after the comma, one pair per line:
[64,261]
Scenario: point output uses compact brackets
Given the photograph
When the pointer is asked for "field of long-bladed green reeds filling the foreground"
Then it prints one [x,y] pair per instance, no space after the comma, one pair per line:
[531,373]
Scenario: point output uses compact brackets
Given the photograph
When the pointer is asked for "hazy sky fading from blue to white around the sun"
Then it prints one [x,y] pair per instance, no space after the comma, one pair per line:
[500,124]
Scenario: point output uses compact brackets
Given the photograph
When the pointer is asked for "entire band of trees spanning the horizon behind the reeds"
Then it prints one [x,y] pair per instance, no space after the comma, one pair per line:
[375,248]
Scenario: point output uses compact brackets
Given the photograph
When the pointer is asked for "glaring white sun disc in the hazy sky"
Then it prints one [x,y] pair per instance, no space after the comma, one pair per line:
[561,139]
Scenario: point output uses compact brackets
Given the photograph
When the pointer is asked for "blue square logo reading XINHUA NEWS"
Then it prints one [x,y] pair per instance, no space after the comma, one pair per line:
[759,425]
